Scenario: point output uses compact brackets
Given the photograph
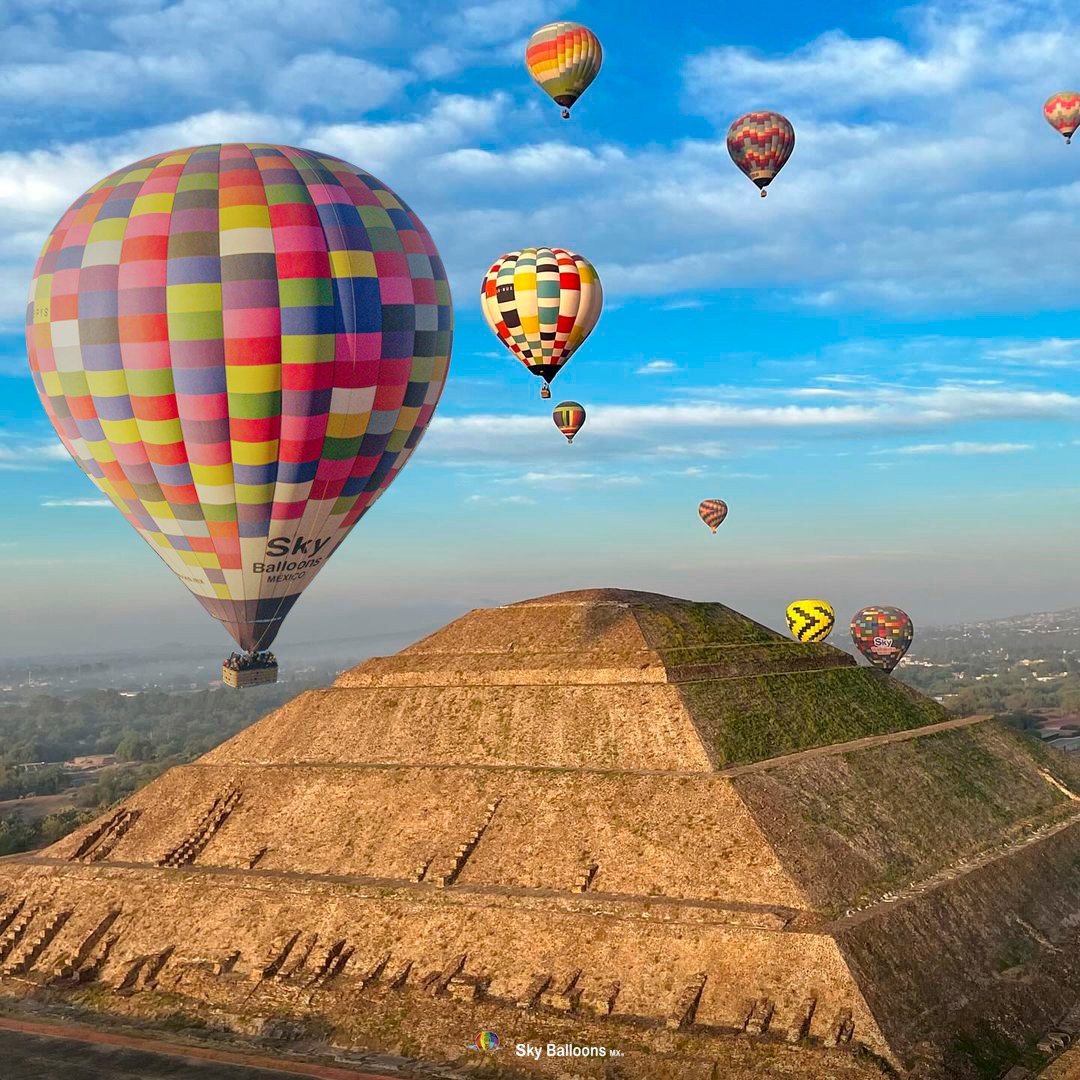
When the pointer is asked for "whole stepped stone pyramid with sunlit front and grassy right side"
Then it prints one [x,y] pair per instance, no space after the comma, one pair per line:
[604,819]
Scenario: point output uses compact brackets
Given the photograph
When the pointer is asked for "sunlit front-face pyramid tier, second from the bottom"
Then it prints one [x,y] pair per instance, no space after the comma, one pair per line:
[687,838]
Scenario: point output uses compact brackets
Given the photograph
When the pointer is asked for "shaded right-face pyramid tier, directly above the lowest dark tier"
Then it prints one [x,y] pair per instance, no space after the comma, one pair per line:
[853,827]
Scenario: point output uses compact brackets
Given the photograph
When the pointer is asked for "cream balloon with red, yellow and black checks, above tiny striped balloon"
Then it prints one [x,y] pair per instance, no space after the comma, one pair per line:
[543,303]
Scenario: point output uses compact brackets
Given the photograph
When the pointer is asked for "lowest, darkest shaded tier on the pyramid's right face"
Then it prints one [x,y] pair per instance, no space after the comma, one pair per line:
[990,954]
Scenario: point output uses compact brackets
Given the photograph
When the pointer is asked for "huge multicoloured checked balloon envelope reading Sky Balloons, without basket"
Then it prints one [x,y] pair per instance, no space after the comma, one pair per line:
[241,346]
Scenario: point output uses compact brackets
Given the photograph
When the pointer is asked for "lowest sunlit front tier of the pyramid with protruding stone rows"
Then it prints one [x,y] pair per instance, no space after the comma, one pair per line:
[660,967]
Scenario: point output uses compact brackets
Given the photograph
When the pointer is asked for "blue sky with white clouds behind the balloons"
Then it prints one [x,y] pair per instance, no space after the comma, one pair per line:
[879,367]
